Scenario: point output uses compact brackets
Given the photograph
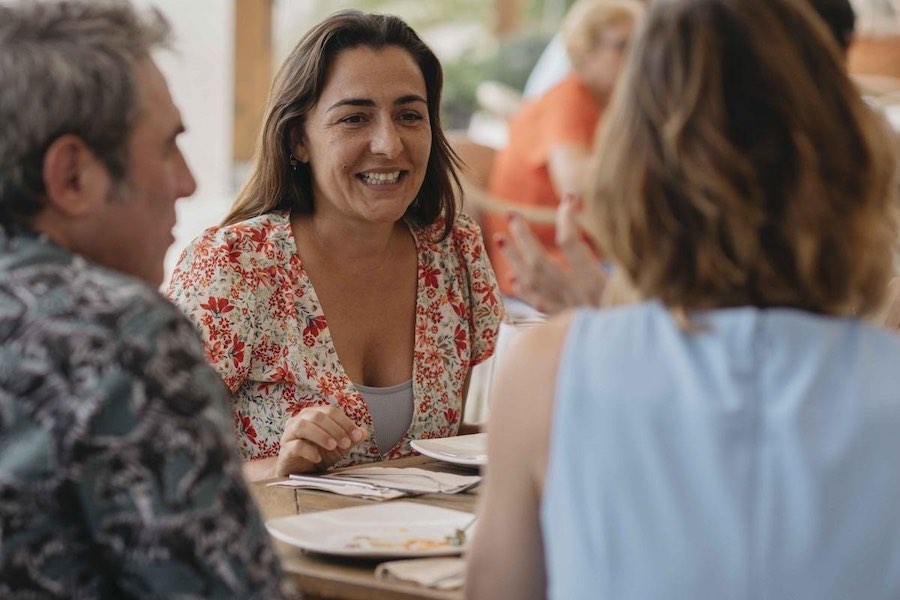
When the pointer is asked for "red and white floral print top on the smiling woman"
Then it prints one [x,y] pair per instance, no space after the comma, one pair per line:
[244,286]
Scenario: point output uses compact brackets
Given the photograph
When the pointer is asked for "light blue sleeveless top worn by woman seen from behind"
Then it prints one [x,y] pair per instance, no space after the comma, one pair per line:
[756,459]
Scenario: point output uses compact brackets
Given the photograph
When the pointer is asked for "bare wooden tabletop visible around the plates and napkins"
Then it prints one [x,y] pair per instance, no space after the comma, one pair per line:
[339,577]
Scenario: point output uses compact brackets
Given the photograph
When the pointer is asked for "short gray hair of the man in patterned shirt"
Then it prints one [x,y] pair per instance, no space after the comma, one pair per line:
[67,67]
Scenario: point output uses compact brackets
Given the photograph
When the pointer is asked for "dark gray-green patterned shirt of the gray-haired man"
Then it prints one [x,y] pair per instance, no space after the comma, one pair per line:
[117,473]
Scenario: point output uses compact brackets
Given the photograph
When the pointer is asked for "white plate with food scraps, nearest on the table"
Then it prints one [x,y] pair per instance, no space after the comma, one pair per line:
[393,529]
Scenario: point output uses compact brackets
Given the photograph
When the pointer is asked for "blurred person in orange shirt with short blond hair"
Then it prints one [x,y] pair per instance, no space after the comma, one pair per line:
[551,138]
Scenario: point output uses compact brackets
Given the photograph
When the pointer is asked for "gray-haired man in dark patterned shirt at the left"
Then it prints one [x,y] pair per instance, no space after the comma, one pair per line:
[118,474]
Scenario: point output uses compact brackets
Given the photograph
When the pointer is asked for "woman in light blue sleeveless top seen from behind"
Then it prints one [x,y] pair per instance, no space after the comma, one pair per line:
[736,434]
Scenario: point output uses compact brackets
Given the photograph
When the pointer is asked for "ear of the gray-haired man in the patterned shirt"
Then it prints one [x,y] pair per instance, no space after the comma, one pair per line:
[75,180]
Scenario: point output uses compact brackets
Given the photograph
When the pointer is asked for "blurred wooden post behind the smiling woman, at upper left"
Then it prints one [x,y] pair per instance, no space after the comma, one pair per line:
[252,72]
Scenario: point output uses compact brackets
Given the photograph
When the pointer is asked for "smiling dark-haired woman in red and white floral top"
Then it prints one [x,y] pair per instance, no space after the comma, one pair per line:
[344,301]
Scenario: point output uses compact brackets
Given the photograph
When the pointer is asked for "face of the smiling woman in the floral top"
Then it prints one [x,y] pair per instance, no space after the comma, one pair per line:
[368,139]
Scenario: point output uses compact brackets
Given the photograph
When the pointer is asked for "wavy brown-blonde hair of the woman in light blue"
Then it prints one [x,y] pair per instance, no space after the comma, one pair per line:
[738,165]
